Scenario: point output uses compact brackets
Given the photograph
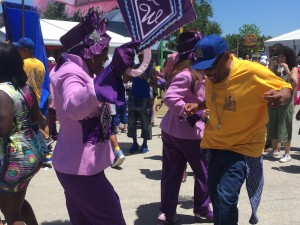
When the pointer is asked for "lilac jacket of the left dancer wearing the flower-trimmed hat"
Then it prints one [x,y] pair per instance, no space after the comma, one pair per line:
[75,100]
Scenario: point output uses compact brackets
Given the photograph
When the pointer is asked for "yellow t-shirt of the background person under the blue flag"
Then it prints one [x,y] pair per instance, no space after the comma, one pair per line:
[35,71]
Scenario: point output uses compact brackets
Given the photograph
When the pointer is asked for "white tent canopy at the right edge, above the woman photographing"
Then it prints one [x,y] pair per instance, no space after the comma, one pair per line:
[291,39]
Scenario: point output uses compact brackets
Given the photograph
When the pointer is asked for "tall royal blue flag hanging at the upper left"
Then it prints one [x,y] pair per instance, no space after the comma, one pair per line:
[12,13]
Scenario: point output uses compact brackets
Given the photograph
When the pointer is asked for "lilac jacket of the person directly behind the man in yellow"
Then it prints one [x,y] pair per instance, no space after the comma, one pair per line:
[178,94]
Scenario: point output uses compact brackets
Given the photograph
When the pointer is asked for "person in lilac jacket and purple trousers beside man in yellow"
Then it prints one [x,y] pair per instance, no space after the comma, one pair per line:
[181,136]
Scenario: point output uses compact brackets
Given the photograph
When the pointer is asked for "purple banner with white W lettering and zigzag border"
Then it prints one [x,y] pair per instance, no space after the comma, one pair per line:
[152,20]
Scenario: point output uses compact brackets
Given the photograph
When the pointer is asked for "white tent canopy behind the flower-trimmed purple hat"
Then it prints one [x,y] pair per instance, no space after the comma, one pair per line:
[52,30]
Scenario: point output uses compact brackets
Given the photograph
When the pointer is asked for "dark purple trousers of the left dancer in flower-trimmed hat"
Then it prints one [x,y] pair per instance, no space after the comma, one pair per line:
[91,200]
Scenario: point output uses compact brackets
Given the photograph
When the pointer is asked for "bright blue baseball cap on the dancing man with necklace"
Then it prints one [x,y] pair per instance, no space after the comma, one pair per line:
[207,50]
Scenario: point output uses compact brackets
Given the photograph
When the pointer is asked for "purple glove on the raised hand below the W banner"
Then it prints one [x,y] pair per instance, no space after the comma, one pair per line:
[123,58]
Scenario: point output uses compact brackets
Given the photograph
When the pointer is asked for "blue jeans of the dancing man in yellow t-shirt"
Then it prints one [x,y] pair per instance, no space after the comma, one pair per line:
[226,174]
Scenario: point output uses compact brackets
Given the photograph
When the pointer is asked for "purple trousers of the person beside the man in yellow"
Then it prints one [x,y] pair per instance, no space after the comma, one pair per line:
[176,153]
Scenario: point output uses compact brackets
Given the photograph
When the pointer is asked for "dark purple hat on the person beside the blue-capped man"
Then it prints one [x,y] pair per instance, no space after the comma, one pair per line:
[186,43]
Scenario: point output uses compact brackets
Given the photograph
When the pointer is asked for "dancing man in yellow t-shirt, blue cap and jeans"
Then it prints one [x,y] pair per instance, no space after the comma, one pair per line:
[237,95]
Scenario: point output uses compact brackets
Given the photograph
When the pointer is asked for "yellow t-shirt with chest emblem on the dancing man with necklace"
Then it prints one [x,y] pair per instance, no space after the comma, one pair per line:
[244,116]
